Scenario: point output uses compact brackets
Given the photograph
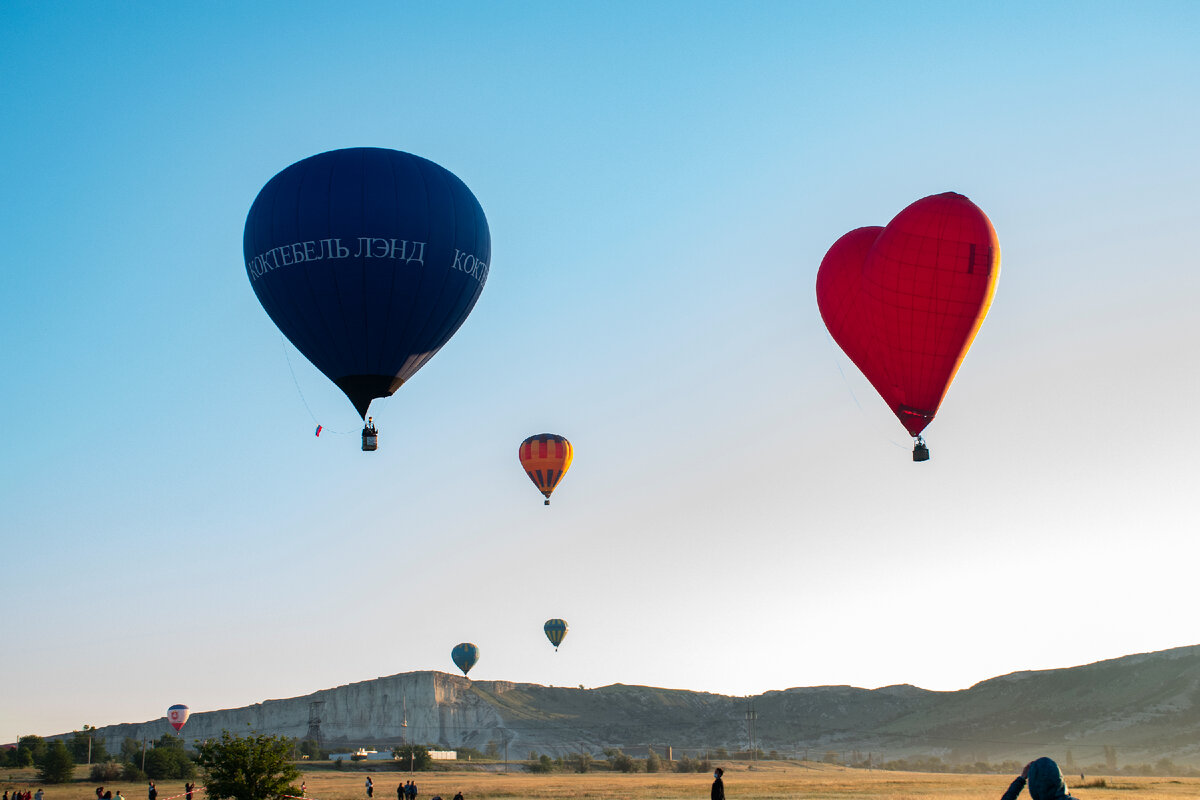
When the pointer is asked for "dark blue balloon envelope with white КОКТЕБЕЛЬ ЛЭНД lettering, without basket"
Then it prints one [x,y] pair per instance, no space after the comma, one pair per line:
[369,261]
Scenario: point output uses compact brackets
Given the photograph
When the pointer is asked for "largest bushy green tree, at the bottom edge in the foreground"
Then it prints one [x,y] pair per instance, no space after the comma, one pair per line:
[248,768]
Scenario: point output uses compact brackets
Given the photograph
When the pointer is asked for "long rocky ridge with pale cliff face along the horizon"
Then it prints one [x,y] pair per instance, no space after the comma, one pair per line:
[1145,706]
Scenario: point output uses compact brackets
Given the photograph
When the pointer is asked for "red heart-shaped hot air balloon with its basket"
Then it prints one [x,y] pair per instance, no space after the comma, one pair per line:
[907,302]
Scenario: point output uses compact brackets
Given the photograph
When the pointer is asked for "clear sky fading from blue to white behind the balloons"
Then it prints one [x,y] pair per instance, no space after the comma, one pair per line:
[662,182]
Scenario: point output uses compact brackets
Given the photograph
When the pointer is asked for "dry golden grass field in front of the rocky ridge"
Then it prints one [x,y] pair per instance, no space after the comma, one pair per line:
[767,781]
